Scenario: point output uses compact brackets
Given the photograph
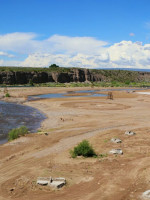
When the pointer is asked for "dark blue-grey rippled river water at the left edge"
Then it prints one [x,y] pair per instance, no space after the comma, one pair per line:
[14,115]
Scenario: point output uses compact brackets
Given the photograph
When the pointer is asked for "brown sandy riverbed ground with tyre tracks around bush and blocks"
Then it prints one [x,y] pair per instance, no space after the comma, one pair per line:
[69,121]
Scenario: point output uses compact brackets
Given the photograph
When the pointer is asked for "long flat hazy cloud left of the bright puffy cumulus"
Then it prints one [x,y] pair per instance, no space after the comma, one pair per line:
[27,43]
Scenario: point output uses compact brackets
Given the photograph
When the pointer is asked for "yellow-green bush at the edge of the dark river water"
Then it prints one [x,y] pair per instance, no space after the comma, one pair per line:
[17,132]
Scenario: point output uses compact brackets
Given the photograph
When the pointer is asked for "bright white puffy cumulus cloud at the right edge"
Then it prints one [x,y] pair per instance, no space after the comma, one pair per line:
[129,54]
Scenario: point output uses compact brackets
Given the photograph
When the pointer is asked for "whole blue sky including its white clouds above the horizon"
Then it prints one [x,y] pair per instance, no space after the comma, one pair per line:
[75,33]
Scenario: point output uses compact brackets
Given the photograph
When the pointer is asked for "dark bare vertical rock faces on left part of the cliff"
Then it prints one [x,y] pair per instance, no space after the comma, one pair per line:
[21,77]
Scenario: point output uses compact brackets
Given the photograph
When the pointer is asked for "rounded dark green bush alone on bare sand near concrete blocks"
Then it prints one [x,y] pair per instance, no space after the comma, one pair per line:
[83,149]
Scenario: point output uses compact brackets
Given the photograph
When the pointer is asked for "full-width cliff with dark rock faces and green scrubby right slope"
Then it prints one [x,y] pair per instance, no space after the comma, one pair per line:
[72,75]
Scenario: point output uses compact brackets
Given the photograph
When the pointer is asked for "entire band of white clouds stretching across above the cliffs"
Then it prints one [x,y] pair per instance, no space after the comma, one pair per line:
[73,51]
